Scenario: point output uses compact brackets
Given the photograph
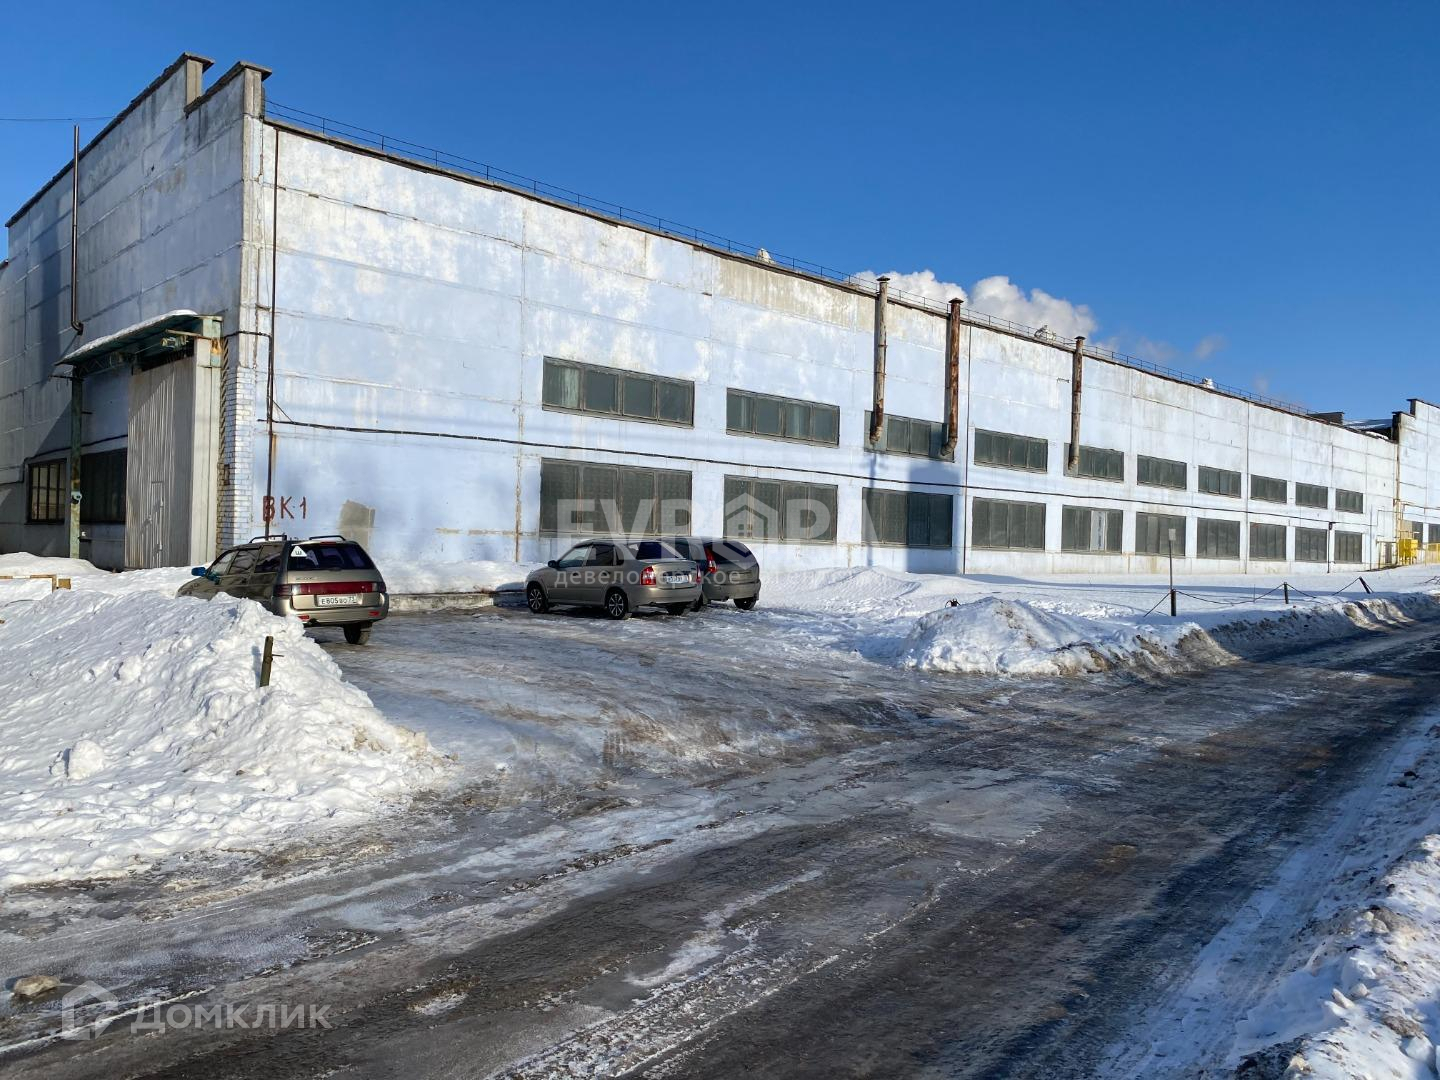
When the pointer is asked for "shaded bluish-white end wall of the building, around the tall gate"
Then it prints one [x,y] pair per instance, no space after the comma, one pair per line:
[159,230]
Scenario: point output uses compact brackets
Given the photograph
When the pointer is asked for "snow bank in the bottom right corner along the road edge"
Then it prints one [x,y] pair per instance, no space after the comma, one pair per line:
[1362,1003]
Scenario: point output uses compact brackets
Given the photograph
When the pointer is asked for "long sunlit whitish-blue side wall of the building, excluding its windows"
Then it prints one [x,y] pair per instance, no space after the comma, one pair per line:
[423,306]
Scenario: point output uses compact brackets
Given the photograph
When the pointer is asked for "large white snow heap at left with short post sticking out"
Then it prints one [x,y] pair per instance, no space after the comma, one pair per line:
[133,728]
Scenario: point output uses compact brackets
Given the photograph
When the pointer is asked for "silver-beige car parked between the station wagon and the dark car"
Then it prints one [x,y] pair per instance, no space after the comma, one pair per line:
[617,577]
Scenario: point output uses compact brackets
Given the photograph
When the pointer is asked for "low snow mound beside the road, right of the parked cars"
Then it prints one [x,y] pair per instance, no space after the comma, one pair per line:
[1016,639]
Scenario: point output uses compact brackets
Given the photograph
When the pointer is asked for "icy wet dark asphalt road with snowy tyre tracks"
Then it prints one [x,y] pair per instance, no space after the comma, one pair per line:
[935,878]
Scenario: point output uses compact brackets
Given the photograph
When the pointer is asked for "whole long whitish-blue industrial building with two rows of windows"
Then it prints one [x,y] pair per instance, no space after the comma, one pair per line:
[273,328]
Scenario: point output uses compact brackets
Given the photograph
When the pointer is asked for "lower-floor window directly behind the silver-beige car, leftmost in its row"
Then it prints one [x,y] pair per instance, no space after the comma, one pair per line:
[580,499]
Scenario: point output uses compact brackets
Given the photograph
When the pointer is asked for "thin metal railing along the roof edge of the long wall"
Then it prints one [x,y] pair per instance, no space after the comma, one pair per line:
[443,159]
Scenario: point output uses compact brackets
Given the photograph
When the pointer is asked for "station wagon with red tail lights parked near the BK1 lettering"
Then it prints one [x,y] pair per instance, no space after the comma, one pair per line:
[325,581]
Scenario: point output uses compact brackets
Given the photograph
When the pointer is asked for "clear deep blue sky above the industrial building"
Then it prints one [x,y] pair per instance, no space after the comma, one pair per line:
[1246,192]
